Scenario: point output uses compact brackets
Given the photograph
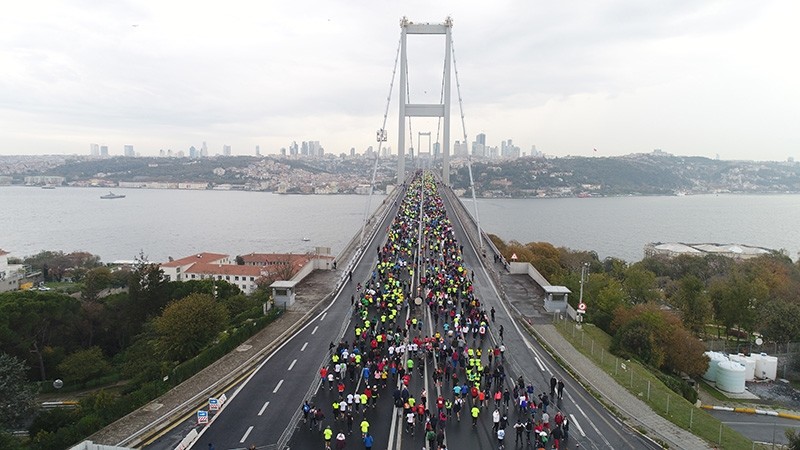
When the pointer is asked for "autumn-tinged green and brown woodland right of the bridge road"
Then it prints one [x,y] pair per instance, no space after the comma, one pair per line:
[659,310]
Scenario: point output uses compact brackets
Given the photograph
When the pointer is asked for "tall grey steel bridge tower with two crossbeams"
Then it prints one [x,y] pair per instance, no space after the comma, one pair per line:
[424,109]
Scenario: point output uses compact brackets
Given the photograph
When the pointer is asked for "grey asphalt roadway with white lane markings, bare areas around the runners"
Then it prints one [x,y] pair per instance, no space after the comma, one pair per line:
[267,406]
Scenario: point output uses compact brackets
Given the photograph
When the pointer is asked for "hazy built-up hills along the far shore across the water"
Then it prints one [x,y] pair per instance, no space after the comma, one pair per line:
[656,173]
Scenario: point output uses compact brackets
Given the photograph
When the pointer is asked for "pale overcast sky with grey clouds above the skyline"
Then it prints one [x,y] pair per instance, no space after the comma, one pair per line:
[690,77]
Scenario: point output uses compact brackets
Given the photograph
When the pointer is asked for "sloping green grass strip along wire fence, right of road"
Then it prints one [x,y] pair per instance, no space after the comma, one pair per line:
[642,383]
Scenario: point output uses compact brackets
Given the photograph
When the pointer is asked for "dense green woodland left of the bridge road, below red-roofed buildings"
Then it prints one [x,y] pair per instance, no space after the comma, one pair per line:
[121,339]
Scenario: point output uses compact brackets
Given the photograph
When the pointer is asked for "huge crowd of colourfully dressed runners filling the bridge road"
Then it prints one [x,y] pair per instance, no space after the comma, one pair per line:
[418,326]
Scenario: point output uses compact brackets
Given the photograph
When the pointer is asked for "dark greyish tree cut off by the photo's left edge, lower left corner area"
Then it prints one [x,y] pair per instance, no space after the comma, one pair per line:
[18,396]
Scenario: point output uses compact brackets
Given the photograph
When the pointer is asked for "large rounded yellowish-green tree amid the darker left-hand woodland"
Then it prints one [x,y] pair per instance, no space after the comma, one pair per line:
[189,324]
